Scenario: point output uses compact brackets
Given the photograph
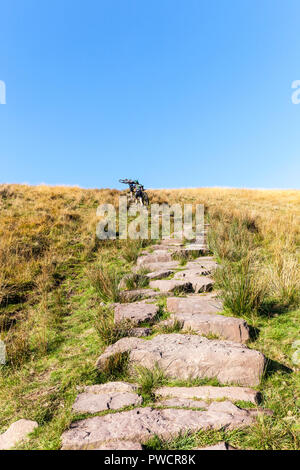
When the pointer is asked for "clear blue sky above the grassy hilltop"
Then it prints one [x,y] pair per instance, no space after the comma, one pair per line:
[176,93]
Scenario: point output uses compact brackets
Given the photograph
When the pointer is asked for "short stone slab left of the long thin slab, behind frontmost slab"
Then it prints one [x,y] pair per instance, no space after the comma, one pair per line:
[111,396]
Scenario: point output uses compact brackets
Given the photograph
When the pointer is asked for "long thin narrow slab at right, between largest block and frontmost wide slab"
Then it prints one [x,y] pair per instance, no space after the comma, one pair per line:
[208,392]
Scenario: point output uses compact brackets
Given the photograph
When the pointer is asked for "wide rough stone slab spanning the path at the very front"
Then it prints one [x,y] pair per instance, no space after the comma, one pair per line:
[140,424]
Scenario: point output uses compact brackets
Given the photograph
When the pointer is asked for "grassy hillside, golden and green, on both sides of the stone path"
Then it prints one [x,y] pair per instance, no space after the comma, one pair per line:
[55,275]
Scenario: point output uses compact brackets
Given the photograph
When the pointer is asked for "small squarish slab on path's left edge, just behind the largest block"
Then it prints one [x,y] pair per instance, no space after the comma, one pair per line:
[137,312]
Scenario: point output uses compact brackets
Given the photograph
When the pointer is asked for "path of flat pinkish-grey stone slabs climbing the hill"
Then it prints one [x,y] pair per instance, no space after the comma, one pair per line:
[210,345]
